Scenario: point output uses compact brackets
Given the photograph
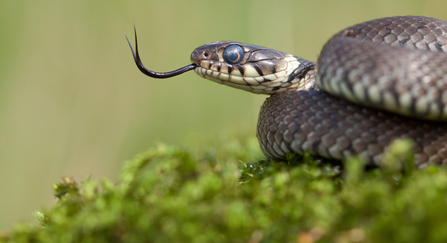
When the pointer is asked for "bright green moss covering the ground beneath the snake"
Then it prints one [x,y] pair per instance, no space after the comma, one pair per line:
[169,194]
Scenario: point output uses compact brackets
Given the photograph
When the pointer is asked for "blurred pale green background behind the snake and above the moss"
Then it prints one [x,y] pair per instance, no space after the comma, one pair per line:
[73,103]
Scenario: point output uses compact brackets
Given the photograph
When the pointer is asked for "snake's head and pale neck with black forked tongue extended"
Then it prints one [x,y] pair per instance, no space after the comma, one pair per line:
[248,67]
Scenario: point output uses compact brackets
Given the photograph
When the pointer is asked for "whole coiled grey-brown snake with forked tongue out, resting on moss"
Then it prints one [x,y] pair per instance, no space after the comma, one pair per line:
[373,83]
